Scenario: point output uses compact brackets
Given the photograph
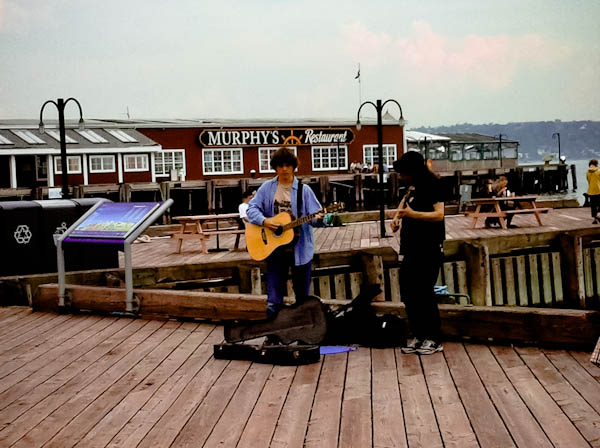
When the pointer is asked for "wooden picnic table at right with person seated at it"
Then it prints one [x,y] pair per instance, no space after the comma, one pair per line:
[522,205]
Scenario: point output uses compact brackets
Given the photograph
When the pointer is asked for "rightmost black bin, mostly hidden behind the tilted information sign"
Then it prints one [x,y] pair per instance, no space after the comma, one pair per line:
[86,256]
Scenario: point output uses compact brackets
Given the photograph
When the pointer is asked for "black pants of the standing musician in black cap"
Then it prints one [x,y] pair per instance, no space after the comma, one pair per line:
[418,274]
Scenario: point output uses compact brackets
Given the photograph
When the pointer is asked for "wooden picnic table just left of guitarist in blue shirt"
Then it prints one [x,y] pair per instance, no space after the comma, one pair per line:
[199,227]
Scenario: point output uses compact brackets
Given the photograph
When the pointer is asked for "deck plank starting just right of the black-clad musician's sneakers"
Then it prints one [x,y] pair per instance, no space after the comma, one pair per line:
[485,420]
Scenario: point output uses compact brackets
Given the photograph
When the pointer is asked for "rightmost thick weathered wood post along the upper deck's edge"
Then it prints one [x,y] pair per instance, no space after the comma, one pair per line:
[571,264]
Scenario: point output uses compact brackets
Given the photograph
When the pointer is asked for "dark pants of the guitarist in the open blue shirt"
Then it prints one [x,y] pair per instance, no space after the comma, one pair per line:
[278,265]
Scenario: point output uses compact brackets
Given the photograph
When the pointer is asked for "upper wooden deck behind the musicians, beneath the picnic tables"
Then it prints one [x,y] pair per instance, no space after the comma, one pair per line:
[162,252]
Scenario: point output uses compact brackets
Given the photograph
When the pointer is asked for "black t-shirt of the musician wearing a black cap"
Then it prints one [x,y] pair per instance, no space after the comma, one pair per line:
[417,234]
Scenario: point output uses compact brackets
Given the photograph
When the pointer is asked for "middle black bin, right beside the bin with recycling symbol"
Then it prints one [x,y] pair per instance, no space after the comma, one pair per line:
[57,216]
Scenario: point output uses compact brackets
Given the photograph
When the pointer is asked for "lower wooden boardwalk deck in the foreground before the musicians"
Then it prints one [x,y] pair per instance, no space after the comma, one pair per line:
[96,381]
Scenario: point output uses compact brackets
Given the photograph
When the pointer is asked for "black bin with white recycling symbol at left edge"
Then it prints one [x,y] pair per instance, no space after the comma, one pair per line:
[21,238]
